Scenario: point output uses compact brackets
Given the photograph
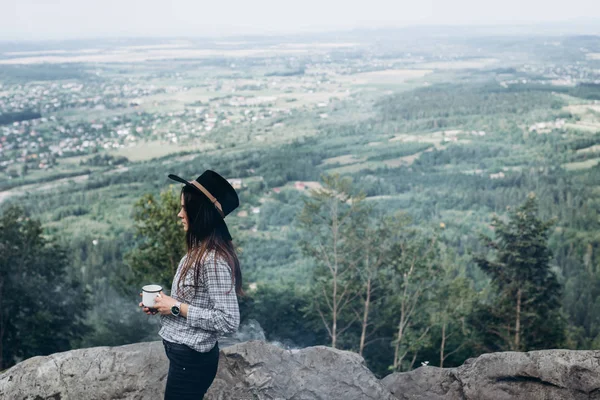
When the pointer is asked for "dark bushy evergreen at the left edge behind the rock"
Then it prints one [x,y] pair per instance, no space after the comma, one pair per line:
[41,309]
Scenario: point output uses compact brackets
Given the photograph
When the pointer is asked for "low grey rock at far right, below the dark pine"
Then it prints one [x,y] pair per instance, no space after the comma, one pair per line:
[536,375]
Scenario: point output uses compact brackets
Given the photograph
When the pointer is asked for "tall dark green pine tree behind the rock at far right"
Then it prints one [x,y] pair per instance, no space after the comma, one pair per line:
[524,311]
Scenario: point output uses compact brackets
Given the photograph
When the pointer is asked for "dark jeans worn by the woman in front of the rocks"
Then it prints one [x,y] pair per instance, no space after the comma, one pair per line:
[190,372]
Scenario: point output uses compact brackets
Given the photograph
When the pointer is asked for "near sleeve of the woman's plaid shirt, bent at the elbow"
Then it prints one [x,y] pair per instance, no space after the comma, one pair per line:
[224,316]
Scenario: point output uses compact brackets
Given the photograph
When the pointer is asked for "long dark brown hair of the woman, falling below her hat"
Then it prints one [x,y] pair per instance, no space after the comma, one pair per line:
[207,231]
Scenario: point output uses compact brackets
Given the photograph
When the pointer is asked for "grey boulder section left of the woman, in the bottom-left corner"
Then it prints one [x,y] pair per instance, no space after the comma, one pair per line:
[135,371]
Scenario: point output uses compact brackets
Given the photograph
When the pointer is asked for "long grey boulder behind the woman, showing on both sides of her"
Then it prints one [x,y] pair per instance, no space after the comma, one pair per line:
[250,370]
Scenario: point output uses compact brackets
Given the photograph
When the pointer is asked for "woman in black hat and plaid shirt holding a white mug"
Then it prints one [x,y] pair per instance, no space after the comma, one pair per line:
[203,305]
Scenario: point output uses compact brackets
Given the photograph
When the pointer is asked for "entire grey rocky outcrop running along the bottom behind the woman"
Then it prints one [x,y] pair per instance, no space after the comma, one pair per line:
[261,371]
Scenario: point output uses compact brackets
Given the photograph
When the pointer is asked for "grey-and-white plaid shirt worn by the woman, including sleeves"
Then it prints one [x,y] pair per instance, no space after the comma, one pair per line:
[212,311]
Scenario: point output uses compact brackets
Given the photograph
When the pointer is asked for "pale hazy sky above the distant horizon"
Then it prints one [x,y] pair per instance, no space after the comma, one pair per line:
[51,19]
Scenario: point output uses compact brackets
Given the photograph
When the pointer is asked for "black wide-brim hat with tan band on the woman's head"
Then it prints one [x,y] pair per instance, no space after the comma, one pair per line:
[216,189]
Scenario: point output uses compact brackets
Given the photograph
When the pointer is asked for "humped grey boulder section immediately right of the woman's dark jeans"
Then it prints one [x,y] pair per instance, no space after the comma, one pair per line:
[268,372]
